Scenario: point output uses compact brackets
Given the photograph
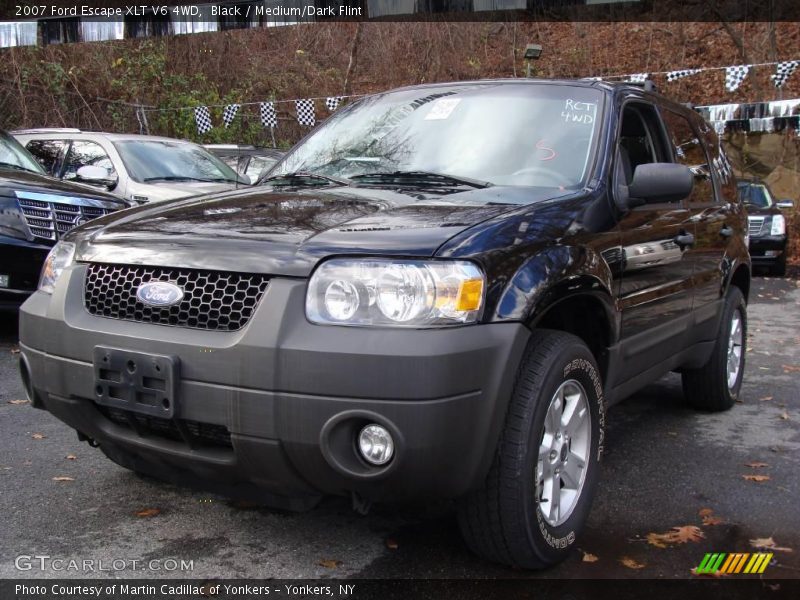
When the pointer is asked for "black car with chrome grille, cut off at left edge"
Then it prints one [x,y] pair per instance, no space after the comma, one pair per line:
[36,210]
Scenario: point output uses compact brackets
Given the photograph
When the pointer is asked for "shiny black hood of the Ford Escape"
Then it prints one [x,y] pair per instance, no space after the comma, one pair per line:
[284,231]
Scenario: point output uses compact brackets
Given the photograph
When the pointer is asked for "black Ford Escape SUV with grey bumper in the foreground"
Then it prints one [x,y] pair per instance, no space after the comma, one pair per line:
[434,295]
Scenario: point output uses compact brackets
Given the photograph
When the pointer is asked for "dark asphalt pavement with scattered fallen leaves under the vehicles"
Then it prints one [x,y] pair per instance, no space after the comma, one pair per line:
[665,466]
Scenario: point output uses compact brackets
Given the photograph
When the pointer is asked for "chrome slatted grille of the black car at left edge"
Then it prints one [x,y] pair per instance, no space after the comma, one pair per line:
[49,216]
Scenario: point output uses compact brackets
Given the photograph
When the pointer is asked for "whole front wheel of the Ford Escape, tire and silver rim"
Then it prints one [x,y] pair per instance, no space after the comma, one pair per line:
[539,490]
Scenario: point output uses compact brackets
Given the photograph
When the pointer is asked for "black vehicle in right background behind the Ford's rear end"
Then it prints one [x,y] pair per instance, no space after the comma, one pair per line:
[766,225]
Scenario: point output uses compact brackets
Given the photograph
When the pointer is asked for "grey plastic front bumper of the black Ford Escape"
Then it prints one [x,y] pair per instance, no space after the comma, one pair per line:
[290,394]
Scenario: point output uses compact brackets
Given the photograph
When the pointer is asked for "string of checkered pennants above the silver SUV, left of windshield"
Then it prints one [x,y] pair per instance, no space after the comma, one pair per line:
[305,111]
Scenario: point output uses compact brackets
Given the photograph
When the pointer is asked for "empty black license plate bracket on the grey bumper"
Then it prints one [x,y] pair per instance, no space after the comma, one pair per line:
[136,381]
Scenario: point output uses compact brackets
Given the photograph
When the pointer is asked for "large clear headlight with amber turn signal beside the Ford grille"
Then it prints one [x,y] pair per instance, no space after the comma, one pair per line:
[395,293]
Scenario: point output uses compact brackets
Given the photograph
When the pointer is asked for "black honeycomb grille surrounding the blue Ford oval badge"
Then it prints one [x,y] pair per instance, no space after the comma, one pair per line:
[213,300]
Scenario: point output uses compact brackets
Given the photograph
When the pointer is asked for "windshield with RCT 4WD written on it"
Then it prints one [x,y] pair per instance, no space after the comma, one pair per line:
[519,134]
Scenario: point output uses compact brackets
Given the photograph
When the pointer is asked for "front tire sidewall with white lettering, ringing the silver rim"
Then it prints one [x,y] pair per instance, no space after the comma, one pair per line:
[553,543]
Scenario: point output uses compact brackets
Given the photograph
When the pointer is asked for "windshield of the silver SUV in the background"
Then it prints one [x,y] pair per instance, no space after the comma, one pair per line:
[151,161]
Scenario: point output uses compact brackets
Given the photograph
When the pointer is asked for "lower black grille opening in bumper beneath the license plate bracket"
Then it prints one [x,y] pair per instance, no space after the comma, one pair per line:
[193,433]
